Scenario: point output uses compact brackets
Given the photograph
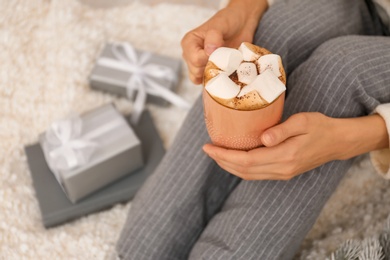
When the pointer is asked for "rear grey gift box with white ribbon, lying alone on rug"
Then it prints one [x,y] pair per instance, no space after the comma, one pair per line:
[122,70]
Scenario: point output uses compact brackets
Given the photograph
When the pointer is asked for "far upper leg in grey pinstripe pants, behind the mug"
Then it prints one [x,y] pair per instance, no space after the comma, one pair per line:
[295,28]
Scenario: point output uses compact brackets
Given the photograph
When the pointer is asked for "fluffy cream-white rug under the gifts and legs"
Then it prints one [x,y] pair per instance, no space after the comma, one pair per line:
[47,49]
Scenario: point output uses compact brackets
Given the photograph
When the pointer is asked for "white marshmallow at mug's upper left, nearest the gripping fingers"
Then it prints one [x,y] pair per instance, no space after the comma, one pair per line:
[227,59]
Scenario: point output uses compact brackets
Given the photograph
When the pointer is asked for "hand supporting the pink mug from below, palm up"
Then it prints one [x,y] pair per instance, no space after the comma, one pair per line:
[301,143]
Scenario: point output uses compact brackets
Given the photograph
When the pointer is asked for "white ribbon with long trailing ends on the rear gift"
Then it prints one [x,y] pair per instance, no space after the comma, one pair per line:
[141,78]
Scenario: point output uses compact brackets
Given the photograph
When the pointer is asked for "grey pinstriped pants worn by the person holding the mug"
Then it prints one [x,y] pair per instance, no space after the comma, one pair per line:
[337,64]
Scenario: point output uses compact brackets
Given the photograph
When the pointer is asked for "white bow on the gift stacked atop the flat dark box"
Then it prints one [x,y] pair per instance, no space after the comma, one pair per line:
[67,149]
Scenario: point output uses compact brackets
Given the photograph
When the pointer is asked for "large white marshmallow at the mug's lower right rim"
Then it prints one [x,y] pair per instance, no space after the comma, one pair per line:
[267,85]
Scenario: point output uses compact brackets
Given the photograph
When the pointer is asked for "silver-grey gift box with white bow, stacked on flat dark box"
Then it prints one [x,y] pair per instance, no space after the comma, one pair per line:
[88,152]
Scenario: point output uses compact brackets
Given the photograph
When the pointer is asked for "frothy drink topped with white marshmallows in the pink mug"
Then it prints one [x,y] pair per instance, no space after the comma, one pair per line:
[232,77]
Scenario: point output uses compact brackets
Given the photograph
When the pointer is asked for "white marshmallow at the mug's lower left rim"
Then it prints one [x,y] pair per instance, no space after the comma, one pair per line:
[222,87]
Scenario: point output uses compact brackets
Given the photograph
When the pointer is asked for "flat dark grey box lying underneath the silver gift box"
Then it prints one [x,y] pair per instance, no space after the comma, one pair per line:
[54,205]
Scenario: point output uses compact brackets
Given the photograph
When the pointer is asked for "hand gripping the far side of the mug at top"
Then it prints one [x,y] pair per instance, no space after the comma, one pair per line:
[229,27]
